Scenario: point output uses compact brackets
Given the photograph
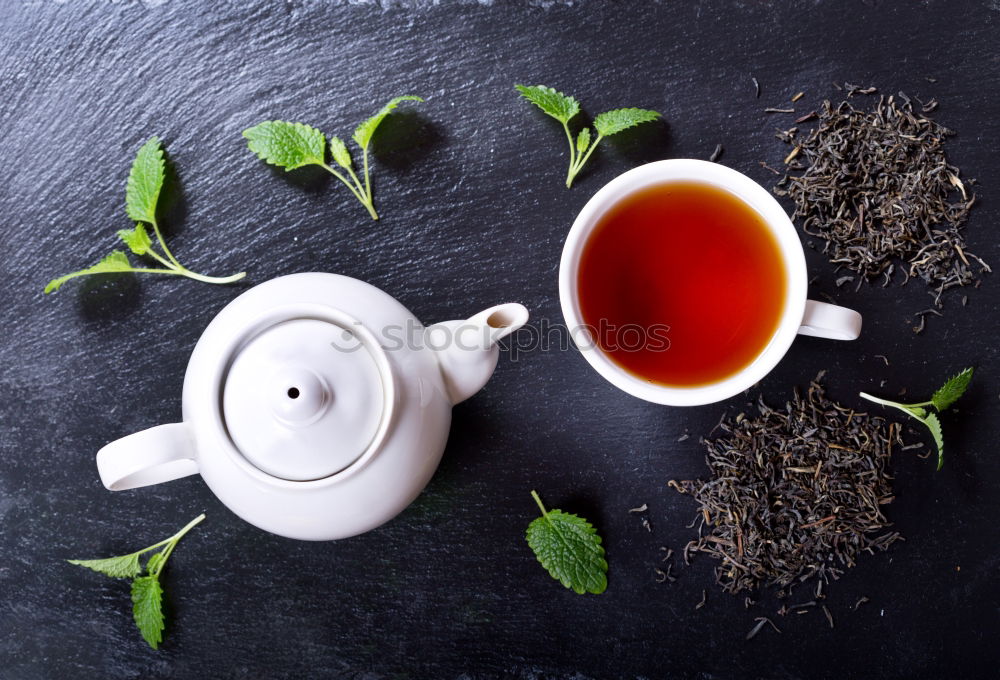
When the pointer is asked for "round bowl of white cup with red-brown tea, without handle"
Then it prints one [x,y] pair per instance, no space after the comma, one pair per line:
[683,284]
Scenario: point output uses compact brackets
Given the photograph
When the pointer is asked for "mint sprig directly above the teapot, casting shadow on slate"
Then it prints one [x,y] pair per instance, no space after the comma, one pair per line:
[295,145]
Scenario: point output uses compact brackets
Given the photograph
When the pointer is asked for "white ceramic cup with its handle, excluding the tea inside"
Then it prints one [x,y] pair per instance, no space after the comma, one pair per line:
[799,315]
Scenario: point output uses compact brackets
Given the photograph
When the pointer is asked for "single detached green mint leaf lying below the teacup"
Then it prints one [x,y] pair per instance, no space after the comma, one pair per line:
[570,550]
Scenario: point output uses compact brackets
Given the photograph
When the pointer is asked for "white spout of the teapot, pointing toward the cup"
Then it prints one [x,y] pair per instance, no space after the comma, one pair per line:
[467,350]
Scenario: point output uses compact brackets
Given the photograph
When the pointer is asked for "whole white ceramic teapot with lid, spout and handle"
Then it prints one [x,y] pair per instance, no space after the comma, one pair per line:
[316,406]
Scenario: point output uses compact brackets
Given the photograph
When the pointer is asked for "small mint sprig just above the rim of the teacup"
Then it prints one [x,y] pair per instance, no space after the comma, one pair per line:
[563,108]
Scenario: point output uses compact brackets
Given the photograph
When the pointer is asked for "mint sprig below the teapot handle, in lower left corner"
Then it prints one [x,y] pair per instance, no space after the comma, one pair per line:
[147,593]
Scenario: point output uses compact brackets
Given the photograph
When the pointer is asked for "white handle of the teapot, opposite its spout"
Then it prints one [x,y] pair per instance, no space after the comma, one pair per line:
[159,454]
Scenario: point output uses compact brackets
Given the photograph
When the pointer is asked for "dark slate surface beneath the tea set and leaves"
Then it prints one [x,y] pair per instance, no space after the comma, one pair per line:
[474,212]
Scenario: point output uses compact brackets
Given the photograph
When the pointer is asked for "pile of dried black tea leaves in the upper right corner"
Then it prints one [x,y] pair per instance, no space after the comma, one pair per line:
[877,187]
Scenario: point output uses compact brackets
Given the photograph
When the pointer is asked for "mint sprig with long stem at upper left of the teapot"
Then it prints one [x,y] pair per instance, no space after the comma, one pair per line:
[142,194]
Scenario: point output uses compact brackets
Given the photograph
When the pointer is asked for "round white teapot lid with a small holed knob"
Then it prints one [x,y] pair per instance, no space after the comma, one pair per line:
[305,398]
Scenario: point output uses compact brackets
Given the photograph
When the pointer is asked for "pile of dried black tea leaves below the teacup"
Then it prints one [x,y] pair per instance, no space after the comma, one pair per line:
[795,494]
